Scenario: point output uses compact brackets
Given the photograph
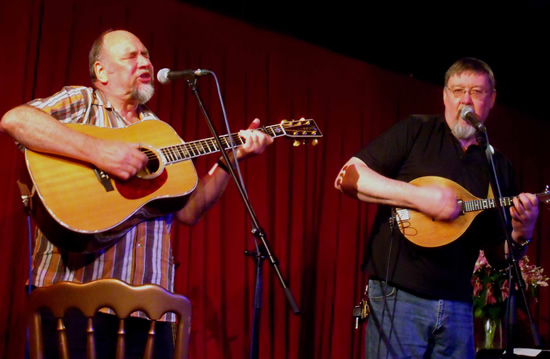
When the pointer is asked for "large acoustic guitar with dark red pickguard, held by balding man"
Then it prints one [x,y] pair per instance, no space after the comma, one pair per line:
[81,208]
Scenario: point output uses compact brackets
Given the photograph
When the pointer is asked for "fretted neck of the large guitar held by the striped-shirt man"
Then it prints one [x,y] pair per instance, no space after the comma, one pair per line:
[189,150]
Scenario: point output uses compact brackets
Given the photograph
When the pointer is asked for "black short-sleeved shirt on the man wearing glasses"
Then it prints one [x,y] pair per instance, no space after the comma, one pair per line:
[425,146]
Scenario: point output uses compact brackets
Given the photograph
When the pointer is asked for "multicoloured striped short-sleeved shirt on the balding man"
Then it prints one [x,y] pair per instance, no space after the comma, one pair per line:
[141,256]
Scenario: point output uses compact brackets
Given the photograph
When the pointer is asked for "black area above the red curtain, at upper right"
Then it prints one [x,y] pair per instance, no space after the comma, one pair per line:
[421,39]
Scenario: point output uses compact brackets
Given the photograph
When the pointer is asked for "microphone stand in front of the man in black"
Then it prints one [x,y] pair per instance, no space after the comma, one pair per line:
[514,272]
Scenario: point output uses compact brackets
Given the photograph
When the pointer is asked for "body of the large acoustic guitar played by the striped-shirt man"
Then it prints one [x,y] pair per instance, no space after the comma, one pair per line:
[87,213]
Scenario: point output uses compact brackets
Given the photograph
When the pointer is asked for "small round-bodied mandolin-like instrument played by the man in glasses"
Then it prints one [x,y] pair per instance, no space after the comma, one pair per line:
[425,231]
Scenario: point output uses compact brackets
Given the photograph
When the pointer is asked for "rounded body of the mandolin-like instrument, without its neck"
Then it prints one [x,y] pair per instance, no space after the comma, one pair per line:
[426,231]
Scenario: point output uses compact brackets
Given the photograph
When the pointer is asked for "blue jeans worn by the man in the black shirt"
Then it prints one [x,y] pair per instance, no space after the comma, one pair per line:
[402,325]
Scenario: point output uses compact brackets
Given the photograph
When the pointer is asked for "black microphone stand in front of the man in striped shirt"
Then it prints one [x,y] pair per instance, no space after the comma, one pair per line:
[263,248]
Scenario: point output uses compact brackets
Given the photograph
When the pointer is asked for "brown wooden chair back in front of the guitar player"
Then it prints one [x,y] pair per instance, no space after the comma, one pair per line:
[117,295]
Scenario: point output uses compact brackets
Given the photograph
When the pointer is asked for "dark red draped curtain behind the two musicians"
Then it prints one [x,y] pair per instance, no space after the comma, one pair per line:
[317,234]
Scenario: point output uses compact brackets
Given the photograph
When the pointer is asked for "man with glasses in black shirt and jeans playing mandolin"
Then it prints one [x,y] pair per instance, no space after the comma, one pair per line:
[420,297]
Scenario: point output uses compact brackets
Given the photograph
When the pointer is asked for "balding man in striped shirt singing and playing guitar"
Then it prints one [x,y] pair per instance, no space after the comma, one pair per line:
[122,77]
